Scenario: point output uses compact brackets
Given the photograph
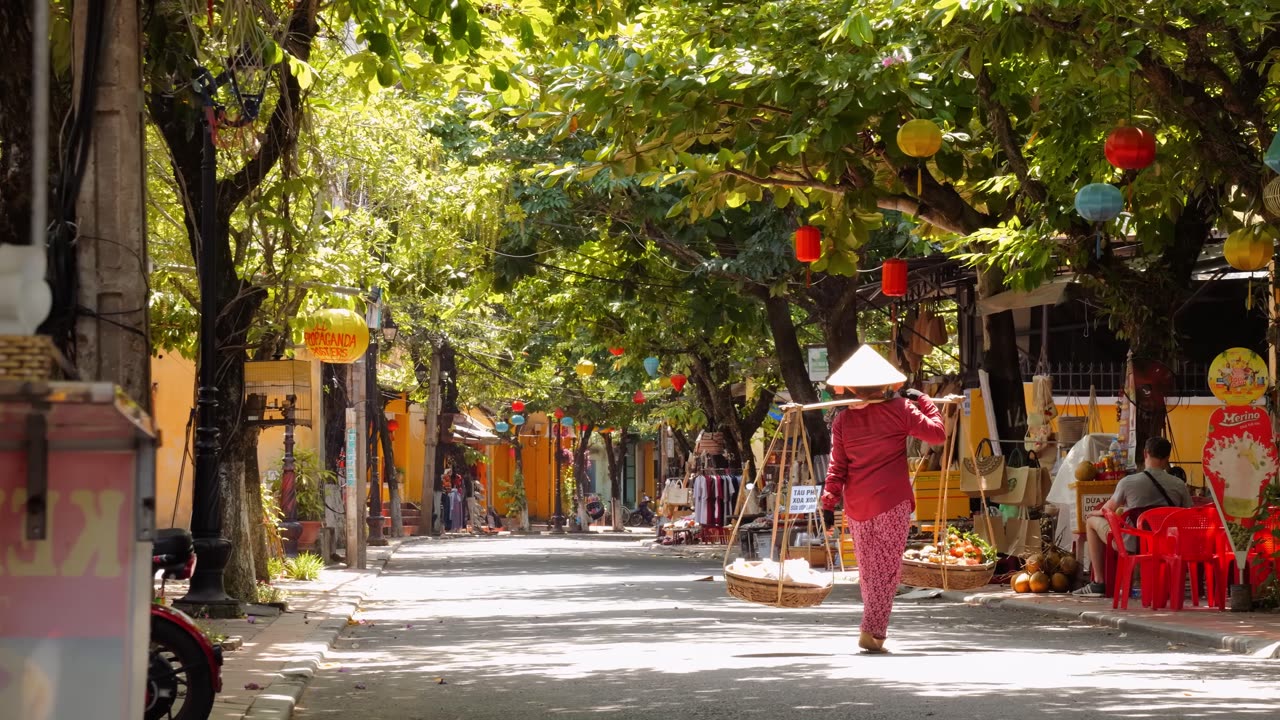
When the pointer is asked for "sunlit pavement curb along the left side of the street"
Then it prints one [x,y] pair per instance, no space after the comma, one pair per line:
[278,700]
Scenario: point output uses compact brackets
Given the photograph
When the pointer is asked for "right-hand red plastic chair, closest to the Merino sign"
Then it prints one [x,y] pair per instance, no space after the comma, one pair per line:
[1194,541]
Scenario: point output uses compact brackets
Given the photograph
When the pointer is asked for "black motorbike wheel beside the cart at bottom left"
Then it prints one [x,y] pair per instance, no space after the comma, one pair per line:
[180,685]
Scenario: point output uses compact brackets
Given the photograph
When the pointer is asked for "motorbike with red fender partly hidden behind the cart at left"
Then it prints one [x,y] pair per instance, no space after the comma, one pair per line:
[184,667]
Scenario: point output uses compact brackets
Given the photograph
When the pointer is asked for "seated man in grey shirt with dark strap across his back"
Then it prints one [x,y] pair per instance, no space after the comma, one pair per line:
[1154,487]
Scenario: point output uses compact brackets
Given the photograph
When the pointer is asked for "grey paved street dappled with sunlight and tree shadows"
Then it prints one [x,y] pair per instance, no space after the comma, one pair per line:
[565,628]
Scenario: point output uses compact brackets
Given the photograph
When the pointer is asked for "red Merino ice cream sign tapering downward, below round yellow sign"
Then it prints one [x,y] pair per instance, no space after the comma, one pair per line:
[1241,461]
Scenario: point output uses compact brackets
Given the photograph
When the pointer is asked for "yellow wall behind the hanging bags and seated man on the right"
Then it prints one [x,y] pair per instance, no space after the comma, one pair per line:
[1190,423]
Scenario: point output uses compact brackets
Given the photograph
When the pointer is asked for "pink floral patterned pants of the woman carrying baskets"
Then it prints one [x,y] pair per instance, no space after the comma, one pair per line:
[880,544]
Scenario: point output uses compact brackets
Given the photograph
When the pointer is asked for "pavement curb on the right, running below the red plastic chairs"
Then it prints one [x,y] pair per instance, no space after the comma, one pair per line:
[1241,645]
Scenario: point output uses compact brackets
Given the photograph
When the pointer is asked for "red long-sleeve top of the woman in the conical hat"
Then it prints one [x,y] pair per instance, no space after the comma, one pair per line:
[868,454]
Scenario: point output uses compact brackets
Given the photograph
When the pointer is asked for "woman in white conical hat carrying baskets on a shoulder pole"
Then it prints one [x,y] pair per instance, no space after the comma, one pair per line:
[868,472]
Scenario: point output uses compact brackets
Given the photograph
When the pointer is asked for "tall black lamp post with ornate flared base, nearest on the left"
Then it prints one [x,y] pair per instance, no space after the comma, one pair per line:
[213,552]
